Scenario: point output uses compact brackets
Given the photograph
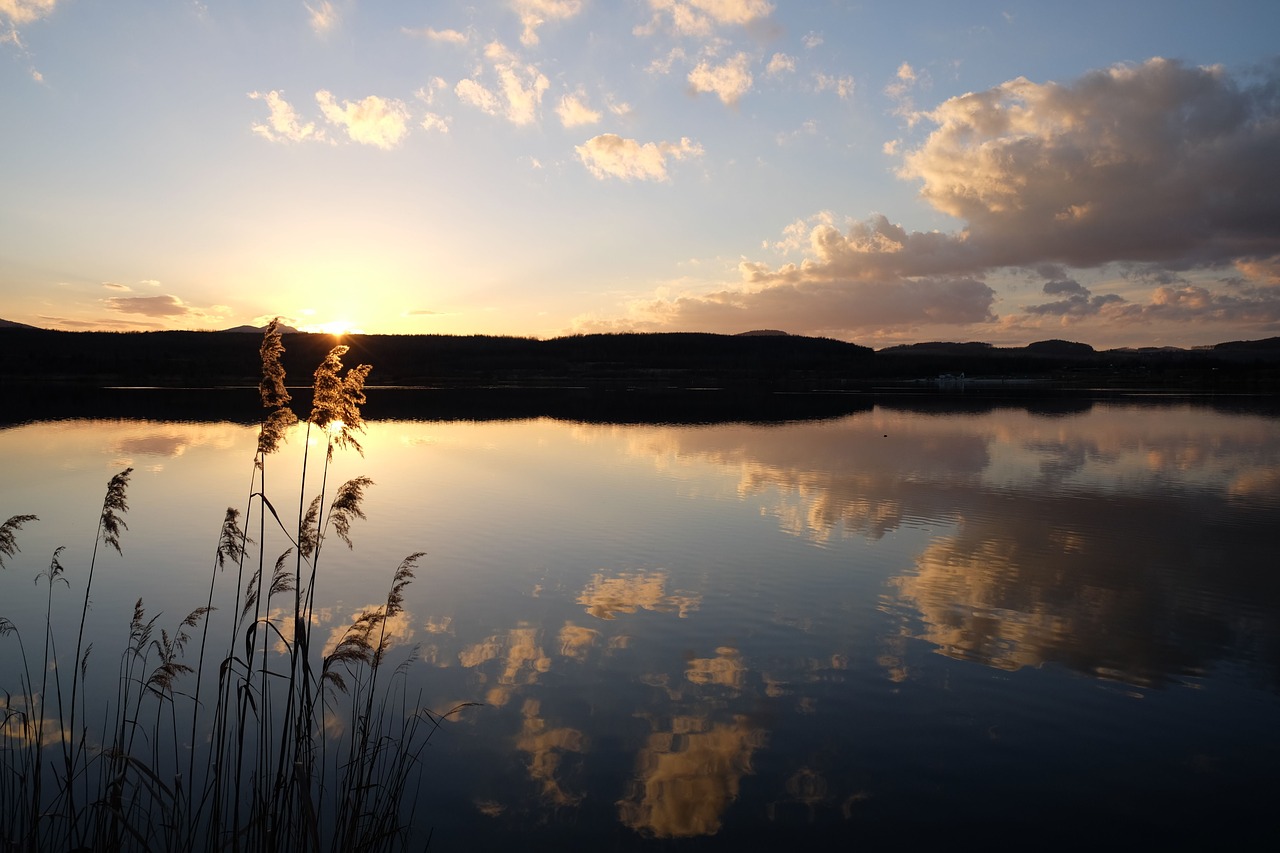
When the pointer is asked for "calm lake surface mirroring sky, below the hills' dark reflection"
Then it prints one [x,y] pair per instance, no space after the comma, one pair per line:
[907,623]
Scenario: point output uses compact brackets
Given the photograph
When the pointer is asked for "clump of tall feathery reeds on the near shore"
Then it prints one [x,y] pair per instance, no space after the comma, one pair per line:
[221,732]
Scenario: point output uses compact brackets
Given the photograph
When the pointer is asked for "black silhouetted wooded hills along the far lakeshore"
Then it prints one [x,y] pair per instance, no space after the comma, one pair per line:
[666,361]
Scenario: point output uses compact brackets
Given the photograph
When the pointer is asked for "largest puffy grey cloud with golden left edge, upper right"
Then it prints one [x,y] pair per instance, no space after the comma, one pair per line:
[1158,162]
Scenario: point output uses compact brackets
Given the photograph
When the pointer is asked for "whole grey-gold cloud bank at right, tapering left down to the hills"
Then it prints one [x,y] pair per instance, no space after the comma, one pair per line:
[1162,172]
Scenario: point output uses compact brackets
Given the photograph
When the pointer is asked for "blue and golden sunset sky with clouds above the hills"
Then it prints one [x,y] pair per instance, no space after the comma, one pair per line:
[880,174]
